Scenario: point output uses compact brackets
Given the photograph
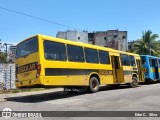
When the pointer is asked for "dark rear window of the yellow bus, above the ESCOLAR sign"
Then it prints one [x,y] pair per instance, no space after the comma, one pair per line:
[27,47]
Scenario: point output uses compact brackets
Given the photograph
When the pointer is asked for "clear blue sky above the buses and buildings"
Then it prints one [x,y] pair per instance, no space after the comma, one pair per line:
[133,16]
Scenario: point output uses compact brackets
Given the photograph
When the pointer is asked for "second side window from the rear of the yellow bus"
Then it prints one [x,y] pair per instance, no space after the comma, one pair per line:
[75,53]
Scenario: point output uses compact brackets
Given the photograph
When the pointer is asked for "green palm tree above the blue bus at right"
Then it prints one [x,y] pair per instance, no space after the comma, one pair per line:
[147,44]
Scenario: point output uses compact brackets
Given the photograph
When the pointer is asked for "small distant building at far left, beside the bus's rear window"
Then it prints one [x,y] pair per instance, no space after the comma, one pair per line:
[11,53]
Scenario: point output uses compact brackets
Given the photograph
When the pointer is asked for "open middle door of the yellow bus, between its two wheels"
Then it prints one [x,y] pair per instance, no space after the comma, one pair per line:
[117,70]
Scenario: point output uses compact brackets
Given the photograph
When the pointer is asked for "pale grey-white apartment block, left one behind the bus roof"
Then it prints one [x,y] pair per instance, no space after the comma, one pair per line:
[74,35]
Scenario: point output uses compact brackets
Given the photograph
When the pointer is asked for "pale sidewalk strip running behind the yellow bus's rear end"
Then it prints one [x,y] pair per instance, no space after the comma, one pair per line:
[23,94]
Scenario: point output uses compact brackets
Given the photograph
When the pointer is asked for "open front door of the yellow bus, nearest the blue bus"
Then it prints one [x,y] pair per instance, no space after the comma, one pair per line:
[140,71]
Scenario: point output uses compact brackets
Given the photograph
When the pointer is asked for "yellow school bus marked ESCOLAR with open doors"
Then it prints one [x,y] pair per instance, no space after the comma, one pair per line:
[44,61]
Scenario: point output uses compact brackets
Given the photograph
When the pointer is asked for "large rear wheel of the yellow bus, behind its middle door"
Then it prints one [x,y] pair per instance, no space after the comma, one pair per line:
[93,85]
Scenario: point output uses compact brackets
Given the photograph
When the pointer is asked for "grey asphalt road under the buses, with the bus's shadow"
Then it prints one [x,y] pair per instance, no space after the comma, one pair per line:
[123,98]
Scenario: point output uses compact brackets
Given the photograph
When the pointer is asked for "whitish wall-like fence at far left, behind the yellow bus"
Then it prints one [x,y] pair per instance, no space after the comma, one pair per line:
[7,76]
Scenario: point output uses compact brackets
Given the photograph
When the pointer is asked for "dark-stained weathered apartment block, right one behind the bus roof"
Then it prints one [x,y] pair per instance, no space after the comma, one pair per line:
[112,38]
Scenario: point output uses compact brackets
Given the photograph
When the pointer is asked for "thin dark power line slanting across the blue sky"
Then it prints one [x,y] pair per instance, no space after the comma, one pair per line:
[49,21]
